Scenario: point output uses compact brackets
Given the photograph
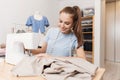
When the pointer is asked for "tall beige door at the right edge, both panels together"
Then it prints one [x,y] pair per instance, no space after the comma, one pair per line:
[112,31]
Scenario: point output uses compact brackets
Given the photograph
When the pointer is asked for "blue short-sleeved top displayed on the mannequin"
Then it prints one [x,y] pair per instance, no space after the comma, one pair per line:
[37,24]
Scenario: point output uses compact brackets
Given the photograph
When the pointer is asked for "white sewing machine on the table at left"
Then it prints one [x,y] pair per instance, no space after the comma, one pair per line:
[16,43]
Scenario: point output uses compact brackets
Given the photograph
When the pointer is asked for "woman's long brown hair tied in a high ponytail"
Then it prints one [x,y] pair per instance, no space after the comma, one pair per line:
[76,16]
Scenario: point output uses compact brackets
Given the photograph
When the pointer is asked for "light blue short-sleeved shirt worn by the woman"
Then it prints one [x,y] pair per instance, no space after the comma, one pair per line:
[59,44]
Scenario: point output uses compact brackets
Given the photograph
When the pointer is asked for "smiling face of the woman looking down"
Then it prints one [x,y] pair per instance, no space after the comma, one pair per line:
[65,22]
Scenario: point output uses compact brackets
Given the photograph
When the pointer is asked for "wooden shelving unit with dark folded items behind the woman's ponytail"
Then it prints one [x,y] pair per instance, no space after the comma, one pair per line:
[88,32]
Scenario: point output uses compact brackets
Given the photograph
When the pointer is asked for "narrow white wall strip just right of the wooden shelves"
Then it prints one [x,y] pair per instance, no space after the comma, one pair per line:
[97,32]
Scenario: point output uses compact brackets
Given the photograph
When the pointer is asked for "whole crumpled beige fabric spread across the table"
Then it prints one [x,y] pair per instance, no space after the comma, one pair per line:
[55,68]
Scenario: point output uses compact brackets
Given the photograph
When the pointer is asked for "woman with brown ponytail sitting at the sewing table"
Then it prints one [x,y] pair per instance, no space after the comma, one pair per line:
[65,39]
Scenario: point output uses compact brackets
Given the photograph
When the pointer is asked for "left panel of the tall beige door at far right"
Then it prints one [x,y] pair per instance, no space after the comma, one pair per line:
[110,31]
